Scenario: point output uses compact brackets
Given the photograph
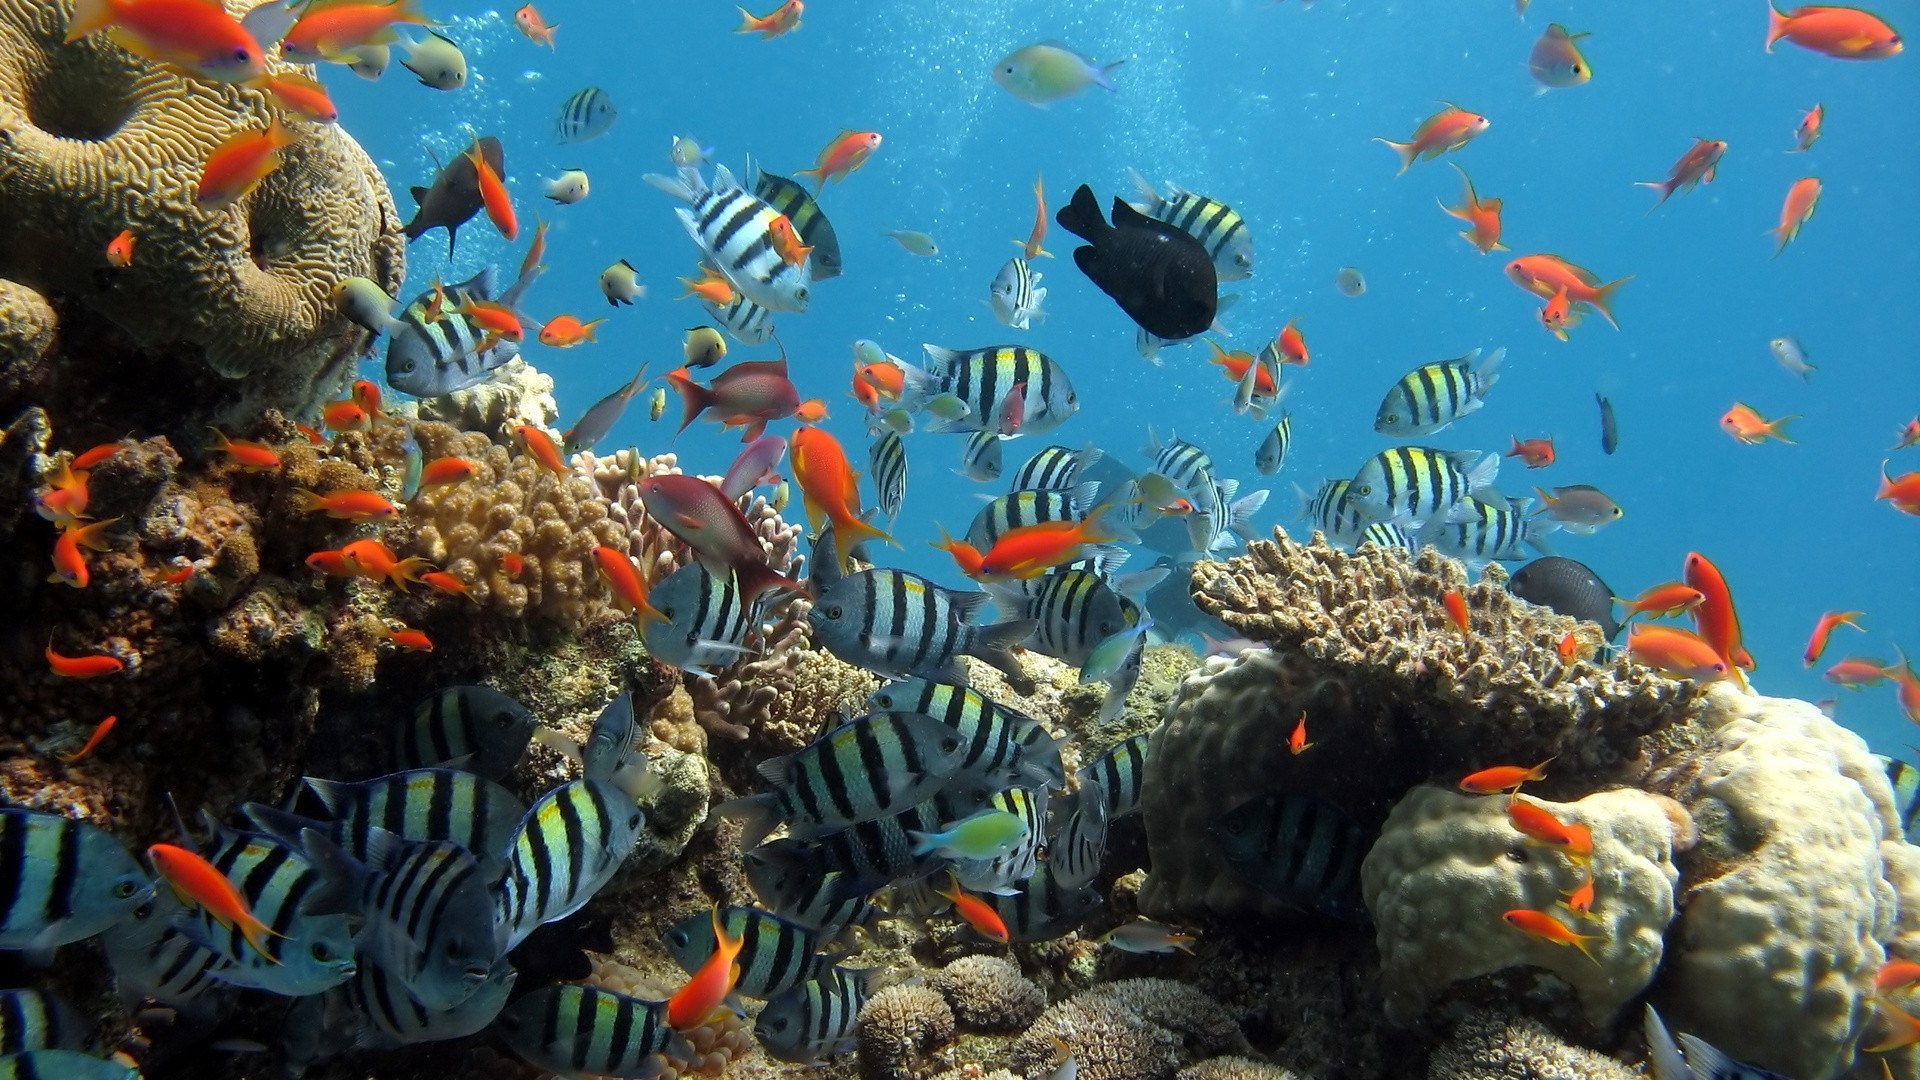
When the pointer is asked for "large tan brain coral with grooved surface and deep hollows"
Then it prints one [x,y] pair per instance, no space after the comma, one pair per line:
[99,141]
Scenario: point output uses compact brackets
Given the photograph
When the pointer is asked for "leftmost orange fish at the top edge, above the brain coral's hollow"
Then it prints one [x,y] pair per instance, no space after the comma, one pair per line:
[191,36]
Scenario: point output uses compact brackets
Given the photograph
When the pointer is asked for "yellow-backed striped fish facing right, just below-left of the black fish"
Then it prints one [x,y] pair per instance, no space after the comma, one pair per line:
[984,378]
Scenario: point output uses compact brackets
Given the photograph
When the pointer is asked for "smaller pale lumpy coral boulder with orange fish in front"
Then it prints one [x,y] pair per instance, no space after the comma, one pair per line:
[1447,868]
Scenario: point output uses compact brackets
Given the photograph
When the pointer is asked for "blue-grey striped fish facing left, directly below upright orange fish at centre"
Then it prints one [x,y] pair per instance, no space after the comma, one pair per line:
[898,624]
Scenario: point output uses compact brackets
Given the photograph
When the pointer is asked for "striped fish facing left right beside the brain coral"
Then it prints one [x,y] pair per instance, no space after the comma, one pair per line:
[429,356]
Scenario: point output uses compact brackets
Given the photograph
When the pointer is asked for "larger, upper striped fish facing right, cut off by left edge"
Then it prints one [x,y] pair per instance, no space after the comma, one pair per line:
[62,881]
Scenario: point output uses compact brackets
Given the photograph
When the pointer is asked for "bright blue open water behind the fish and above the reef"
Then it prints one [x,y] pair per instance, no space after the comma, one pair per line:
[1274,109]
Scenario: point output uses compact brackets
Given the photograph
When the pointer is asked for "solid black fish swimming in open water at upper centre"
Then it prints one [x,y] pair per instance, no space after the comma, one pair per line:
[1161,278]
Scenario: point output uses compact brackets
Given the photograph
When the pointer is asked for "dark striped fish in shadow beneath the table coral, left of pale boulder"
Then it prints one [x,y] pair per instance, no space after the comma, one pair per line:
[1301,850]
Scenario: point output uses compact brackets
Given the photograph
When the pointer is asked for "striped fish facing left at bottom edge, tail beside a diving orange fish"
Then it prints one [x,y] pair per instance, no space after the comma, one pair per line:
[588,1031]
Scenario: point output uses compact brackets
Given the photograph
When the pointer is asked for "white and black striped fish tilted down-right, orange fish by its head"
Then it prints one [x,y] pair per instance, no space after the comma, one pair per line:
[734,228]
